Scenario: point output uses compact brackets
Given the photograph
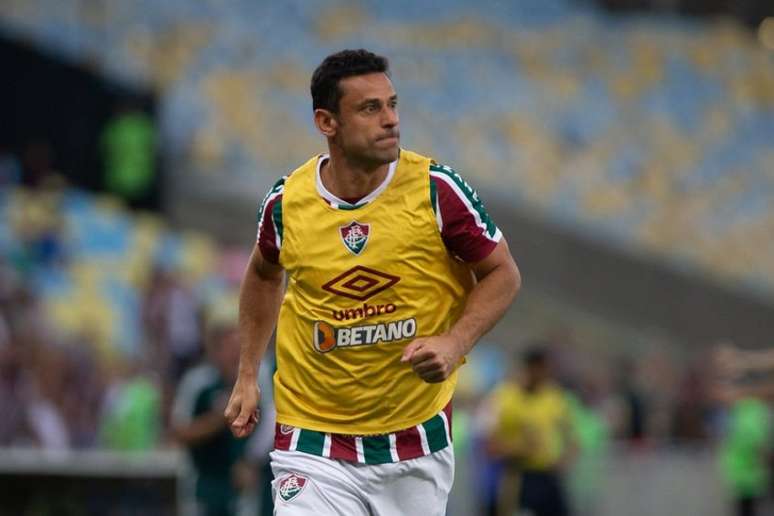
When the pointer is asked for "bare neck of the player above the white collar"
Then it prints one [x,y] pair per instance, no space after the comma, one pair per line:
[351,180]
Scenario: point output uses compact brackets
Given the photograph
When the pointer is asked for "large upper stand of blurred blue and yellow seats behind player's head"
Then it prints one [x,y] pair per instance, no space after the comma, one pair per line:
[650,134]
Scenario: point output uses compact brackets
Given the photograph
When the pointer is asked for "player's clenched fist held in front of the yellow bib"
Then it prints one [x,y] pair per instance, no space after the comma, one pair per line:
[433,358]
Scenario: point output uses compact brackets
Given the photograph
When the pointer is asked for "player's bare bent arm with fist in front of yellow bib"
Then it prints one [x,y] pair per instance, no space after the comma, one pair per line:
[498,281]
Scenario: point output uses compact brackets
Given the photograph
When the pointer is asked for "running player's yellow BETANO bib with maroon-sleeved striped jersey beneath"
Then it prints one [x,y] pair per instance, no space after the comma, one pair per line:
[365,277]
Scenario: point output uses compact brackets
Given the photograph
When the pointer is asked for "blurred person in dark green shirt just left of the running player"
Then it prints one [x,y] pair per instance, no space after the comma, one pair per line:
[219,459]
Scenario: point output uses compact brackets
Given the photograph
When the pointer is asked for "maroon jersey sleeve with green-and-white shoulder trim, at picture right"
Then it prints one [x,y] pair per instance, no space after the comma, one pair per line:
[466,228]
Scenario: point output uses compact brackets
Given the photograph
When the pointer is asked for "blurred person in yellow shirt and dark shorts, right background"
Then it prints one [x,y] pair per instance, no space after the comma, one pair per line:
[532,435]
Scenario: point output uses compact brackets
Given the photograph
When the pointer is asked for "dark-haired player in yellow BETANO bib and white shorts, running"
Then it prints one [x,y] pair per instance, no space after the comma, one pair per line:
[394,271]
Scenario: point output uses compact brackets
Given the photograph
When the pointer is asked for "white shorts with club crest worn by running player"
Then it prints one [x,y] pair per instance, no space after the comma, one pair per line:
[306,484]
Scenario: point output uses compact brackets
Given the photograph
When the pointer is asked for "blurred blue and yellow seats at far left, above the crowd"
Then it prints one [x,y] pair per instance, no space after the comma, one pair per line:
[90,259]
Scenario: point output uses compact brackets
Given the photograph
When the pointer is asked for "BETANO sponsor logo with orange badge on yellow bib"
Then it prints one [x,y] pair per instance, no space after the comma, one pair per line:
[328,337]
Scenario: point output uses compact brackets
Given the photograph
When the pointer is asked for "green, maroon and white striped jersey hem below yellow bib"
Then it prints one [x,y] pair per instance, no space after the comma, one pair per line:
[420,440]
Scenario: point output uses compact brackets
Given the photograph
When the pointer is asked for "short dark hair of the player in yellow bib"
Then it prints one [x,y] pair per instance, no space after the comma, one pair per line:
[347,63]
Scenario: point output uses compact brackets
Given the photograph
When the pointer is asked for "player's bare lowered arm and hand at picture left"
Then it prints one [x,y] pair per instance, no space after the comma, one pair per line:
[259,302]
